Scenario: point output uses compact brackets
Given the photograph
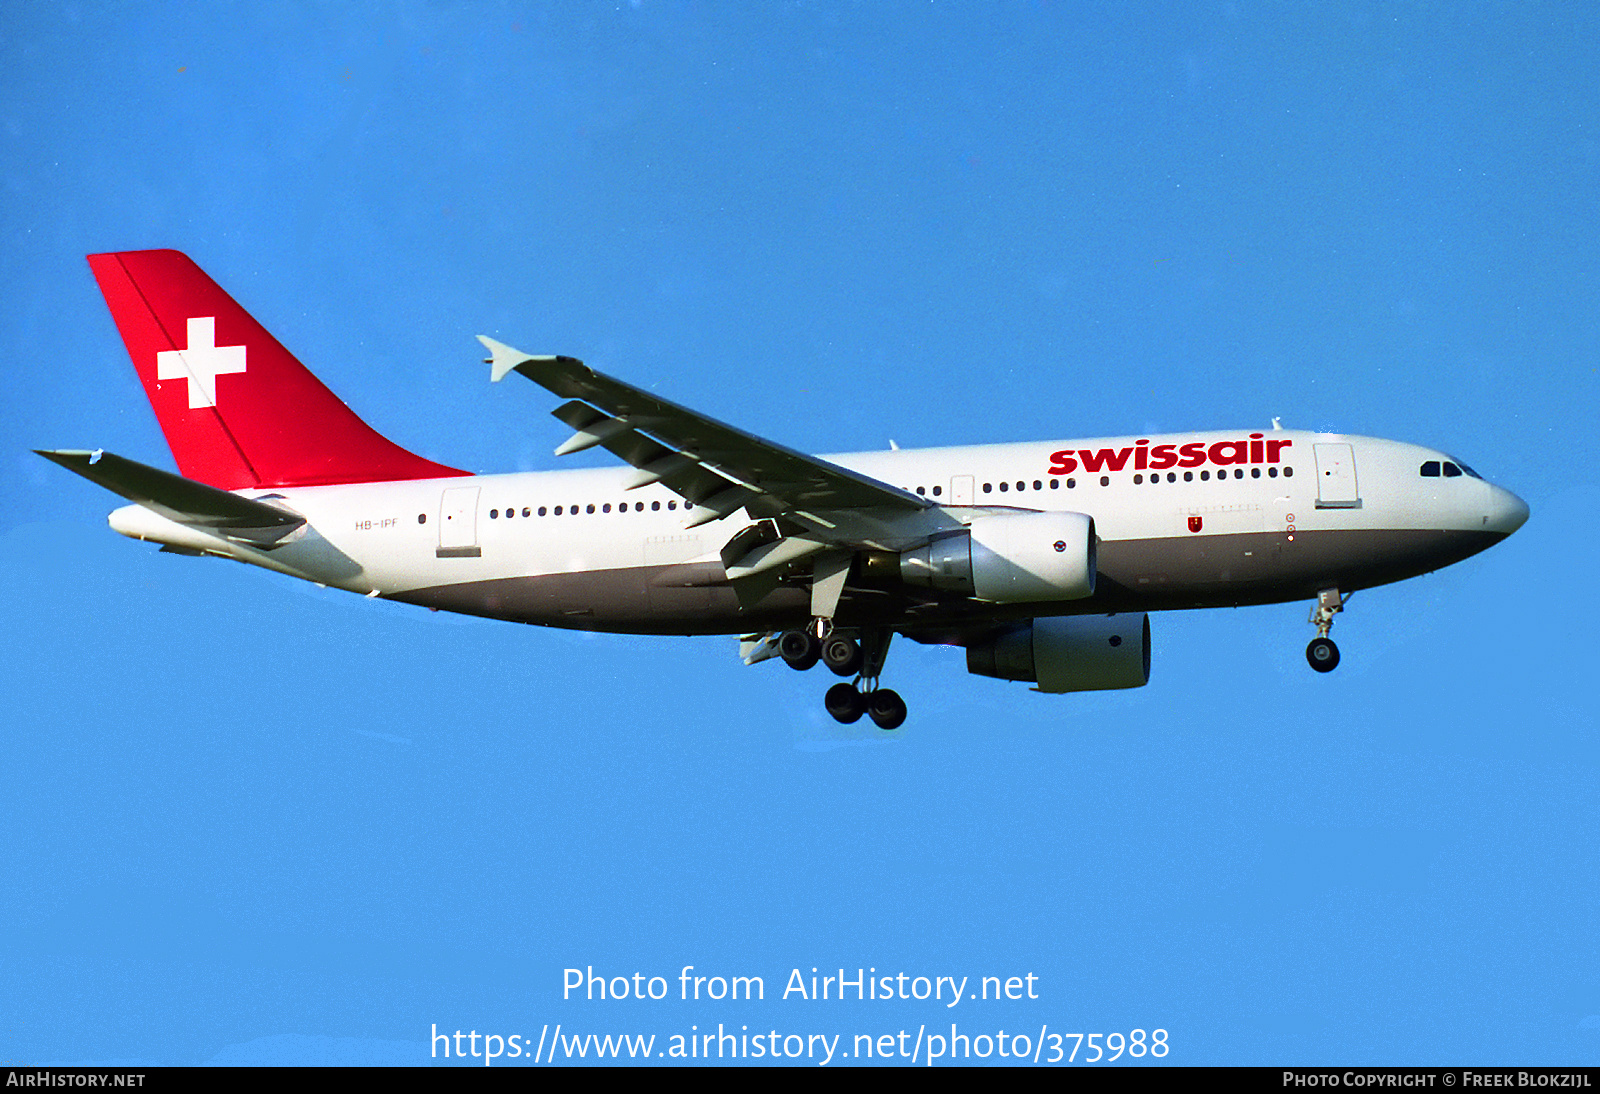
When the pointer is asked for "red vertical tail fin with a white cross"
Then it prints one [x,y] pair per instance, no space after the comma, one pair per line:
[236,407]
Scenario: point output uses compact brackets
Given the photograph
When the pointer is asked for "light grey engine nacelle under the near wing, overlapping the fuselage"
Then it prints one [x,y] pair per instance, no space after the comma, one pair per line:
[1010,559]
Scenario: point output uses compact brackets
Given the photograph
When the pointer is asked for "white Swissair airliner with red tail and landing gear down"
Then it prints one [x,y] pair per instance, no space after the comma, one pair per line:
[1041,559]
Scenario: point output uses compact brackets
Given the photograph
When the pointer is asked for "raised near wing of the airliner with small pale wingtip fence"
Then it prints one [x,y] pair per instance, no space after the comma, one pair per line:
[716,468]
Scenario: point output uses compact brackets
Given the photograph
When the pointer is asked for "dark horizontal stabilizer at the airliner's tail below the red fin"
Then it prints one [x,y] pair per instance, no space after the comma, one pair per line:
[182,500]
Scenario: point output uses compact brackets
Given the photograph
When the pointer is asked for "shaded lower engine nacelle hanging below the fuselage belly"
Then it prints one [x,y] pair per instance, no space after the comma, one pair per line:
[1070,653]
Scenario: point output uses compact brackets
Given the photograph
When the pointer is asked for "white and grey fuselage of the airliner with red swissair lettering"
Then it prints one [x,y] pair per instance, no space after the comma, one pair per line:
[1183,521]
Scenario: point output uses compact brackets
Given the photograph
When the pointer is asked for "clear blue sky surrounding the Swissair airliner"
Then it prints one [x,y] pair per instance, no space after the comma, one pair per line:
[252,821]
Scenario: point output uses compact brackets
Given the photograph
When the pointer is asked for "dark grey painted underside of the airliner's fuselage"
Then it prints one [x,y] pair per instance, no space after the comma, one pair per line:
[1135,575]
